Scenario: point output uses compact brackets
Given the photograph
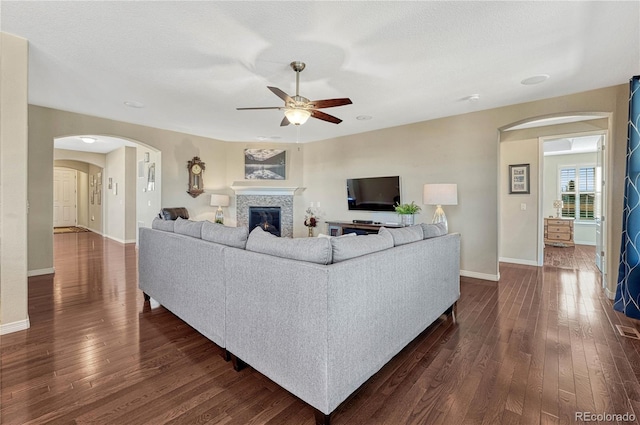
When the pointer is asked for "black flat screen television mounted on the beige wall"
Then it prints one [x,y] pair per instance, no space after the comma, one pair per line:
[373,193]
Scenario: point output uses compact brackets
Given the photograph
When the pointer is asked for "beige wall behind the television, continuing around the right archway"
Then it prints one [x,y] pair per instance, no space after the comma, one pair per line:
[463,150]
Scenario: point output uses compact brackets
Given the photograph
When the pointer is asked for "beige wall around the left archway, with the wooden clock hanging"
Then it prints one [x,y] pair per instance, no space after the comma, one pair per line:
[46,124]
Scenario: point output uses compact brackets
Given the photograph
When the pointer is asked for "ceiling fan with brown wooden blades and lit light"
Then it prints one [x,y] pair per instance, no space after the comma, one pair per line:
[298,109]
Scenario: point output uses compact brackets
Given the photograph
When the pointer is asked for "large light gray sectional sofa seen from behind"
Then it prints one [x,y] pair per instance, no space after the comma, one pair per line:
[318,316]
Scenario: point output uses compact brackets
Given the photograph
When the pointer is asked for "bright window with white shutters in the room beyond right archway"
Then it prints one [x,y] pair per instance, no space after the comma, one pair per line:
[578,192]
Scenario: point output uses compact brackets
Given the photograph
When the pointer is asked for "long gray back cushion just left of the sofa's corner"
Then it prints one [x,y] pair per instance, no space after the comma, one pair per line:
[313,250]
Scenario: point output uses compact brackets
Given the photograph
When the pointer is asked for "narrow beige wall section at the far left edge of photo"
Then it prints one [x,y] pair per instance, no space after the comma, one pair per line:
[13,183]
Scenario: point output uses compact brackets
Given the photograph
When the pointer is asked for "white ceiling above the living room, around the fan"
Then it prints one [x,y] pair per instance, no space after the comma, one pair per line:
[192,63]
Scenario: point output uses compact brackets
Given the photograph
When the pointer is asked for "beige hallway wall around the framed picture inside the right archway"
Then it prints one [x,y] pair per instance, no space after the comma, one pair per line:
[521,217]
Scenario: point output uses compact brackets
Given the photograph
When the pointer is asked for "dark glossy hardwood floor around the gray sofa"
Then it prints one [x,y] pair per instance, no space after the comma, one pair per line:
[534,348]
